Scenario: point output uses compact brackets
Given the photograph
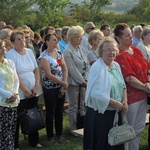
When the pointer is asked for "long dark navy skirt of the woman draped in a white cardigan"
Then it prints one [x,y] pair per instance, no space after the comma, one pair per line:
[96,128]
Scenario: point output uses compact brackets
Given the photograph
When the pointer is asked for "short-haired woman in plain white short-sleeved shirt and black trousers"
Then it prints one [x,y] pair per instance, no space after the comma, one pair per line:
[28,74]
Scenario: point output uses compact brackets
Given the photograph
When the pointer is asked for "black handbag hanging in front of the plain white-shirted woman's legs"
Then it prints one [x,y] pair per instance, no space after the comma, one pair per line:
[32,120]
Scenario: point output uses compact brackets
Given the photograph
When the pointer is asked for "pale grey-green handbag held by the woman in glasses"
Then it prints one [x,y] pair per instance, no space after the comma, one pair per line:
[120,134]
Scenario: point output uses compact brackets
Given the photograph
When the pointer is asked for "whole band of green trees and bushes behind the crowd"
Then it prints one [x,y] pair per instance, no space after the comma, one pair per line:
[40,13]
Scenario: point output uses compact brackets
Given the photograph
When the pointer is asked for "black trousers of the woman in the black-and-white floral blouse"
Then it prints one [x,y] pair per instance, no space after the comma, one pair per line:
[54,110]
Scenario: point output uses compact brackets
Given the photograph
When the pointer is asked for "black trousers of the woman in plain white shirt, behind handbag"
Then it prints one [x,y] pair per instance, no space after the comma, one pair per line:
[34,136]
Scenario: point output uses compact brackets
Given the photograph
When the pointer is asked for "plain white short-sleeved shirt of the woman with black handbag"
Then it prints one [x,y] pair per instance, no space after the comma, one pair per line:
[25,65]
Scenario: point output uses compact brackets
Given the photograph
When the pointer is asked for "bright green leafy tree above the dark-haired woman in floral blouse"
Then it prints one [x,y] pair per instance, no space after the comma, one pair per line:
[51,12]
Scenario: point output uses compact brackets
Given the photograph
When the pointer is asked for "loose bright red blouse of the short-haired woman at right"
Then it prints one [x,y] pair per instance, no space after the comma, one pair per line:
[137,66]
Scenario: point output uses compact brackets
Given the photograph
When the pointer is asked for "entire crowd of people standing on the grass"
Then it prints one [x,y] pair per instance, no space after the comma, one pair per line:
[107,69]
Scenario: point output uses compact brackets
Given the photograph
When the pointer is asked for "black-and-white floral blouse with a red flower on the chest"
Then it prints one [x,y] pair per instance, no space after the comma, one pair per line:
[56,69]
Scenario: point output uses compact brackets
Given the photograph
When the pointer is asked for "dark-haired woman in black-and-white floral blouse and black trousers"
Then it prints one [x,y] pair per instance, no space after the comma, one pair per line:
[54,83]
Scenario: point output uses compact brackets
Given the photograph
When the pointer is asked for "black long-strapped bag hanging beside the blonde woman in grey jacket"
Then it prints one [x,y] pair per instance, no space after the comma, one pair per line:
[80,119]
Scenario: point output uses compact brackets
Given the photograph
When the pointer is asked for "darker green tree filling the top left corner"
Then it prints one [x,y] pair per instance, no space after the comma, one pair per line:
[15,12]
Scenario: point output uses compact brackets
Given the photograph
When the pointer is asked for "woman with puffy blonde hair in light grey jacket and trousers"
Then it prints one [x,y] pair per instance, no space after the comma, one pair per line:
[78,67]
